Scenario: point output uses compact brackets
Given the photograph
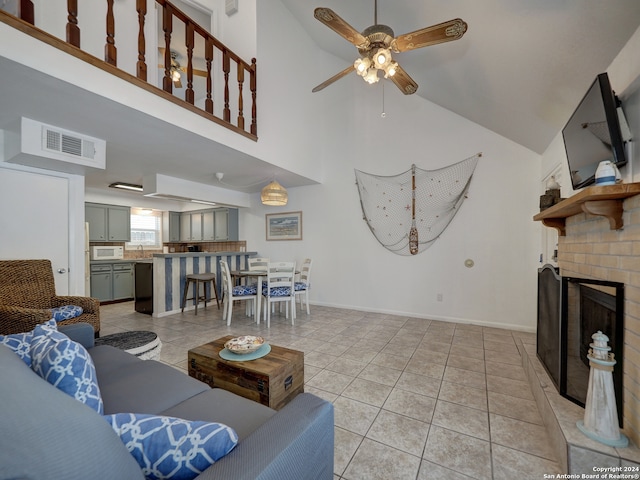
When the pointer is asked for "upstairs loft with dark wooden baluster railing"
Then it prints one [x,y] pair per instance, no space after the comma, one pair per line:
[159,49]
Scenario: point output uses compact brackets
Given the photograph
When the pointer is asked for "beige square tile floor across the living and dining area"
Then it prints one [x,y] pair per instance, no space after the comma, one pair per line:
[414,399]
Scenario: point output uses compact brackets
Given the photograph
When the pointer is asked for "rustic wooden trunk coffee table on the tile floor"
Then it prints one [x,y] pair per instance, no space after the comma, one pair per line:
[272,380]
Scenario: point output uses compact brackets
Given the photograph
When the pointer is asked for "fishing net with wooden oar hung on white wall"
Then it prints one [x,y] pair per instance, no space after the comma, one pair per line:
[409,211]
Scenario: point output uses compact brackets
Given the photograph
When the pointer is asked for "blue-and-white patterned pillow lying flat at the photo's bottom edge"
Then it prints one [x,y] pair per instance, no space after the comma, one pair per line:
[167,447]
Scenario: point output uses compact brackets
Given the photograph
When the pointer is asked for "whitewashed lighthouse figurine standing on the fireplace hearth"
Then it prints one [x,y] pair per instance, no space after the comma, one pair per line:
[600,412]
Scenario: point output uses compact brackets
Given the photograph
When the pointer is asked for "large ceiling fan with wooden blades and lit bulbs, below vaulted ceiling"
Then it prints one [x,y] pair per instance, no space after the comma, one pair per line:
[376,43]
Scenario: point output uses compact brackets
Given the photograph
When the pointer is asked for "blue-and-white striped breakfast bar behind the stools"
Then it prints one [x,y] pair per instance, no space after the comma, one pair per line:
[170,270]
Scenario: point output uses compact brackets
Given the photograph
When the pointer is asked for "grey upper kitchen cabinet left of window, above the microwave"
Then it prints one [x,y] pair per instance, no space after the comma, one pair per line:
[108,223]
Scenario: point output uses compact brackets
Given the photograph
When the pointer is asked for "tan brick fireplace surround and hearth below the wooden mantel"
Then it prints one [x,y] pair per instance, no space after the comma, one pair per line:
[590,249]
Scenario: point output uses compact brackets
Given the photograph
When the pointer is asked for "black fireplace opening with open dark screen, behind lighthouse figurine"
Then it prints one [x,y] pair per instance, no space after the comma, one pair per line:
[570,311]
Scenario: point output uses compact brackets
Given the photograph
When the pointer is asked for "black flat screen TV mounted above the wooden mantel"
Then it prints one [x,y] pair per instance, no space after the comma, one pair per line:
[592,134]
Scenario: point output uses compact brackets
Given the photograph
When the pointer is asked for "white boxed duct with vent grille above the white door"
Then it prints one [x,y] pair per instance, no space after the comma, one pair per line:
[46,146]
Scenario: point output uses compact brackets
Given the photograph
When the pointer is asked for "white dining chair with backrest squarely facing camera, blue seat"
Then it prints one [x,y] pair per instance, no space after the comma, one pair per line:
[279,287]
